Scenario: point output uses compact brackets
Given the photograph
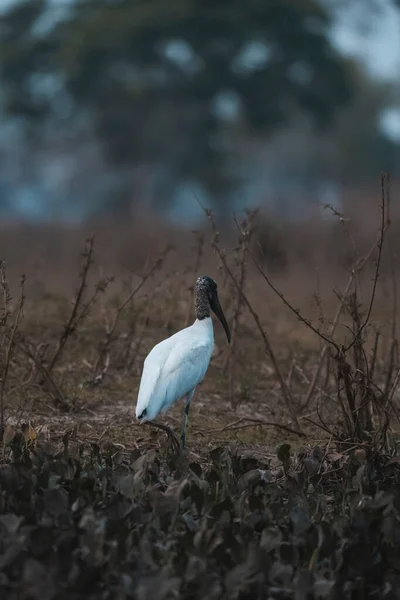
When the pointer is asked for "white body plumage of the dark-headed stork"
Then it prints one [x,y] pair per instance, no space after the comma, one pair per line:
[174,367]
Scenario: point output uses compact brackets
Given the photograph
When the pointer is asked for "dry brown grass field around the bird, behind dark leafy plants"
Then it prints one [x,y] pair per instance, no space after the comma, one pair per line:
[79,362]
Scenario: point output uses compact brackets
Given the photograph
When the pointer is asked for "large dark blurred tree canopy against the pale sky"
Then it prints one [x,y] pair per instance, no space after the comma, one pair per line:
[165,83]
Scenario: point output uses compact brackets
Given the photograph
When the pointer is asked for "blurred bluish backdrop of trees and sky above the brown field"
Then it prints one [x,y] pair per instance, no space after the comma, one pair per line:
[124,108]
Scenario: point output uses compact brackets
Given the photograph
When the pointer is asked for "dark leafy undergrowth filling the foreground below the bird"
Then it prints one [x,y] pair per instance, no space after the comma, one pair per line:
[87,520]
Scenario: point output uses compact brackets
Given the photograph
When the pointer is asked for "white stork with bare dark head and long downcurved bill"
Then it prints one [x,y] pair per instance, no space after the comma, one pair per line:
[173,368]
